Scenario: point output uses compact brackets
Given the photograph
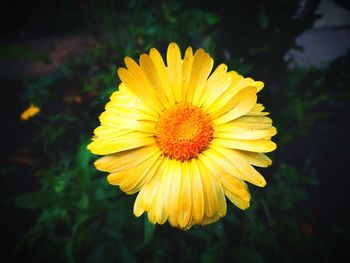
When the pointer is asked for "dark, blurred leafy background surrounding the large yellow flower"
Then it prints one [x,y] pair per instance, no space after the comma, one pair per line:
[309,106]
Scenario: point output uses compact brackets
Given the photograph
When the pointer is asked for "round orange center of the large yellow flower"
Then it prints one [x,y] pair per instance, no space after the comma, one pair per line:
[183,132]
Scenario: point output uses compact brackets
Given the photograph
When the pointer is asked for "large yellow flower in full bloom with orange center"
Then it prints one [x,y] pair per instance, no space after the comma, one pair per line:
[183,137]
